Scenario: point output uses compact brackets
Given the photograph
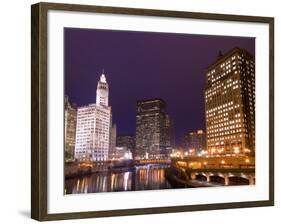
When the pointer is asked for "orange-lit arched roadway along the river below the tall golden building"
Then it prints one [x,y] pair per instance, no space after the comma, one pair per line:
[235,170]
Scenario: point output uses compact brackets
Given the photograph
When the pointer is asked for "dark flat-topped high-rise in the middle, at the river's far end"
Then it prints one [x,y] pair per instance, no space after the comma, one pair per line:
[153,138]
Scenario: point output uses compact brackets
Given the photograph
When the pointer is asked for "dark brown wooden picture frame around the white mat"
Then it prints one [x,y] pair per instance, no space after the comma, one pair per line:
[39,107]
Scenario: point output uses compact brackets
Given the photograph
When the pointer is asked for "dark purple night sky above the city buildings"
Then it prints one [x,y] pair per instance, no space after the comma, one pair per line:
[142,65]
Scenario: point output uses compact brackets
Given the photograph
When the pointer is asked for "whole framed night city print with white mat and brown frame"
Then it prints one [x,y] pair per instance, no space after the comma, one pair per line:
[139,111]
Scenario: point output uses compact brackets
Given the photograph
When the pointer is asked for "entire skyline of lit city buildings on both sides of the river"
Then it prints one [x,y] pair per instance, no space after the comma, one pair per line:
[229,114]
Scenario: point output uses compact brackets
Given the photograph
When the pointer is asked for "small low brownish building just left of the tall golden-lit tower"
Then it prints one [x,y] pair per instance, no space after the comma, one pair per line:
[195,142]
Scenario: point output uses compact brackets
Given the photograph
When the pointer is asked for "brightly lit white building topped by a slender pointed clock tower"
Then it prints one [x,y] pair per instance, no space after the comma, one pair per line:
[94,127]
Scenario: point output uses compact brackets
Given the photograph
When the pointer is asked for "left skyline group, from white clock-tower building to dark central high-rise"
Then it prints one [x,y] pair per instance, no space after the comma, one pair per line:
[91,136]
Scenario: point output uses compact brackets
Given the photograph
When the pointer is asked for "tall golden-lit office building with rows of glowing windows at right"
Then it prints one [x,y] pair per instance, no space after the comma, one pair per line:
[230,104]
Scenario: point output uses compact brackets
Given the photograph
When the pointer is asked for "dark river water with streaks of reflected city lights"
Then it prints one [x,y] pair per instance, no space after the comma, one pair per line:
[139,178]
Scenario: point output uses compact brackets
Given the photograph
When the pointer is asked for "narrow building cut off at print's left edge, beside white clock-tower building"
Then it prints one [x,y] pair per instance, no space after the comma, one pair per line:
[70,118]
